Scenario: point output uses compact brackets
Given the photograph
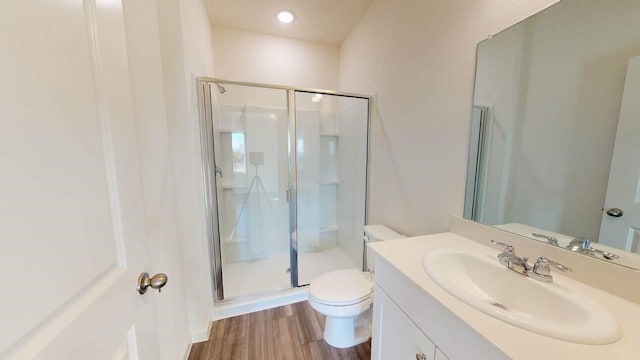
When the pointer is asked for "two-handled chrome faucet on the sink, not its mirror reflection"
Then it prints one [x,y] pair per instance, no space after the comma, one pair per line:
[539,271]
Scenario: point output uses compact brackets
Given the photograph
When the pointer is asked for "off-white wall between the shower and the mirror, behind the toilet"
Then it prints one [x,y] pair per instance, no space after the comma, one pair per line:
[418,59]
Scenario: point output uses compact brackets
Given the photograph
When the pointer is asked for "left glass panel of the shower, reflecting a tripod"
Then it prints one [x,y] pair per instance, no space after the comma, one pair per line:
[250,136]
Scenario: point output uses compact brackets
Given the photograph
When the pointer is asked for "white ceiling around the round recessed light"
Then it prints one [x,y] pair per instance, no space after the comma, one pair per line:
[323,21]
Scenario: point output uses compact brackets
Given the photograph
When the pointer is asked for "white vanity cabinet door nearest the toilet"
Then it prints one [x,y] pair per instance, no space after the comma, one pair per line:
[395,336]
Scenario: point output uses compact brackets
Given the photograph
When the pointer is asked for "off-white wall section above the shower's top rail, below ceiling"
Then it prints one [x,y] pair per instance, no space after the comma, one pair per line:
[252,57]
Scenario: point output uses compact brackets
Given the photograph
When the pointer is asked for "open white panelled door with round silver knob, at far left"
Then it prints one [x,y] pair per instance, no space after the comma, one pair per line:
[71,211]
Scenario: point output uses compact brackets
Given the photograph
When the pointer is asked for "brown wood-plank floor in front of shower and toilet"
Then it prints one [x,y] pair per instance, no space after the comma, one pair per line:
[288,332]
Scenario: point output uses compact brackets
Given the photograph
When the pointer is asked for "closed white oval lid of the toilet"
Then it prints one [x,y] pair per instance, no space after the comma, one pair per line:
[341,287]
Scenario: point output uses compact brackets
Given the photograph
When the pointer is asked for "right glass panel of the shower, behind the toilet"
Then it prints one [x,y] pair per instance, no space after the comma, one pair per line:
[331,171]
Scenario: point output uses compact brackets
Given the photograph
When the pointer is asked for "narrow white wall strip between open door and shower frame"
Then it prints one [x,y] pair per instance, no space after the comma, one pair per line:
[187,53]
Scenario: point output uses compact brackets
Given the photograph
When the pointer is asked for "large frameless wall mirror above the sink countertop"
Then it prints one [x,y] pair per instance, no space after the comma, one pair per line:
[555,145]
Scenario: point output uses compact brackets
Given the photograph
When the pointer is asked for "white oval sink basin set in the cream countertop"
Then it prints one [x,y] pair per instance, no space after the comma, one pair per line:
[551,309]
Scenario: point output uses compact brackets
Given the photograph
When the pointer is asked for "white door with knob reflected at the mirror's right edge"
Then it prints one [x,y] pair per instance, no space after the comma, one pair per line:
[623,190]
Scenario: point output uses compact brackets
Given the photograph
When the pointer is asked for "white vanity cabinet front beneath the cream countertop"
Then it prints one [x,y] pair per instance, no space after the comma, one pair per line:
[407,321]
